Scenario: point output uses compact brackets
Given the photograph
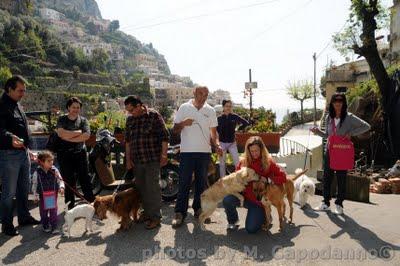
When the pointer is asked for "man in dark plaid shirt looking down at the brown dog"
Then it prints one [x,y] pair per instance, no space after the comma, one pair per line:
[146,144]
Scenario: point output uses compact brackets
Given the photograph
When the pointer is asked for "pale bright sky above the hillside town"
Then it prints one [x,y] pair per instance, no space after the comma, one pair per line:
[216,42]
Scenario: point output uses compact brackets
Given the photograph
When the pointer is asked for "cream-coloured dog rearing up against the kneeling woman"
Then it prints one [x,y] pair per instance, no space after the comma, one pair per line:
[231,184]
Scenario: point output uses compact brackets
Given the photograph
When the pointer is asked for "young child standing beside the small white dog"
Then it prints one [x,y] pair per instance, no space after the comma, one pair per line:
[46,183]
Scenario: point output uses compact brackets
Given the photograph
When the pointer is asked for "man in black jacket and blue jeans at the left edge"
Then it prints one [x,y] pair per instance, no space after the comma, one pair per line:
[14,156]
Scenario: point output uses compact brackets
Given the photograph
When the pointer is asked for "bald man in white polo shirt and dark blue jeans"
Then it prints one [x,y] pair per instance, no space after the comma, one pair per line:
[196,121]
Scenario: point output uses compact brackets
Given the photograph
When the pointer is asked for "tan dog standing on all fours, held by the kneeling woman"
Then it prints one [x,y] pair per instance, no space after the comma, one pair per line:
[271,194]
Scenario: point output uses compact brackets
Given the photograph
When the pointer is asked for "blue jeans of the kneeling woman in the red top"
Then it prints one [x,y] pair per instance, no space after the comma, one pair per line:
[255,213]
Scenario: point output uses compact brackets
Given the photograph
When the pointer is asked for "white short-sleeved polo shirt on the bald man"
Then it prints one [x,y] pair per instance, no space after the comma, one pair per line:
[196,138]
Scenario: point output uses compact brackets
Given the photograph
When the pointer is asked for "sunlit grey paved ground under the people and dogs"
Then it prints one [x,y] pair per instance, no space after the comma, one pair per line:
[364,229]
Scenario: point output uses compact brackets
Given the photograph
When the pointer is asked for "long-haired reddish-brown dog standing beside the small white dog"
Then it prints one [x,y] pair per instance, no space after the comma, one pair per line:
[122,204]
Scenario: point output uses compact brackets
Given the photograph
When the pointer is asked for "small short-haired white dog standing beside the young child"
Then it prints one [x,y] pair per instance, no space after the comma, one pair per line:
[80,211]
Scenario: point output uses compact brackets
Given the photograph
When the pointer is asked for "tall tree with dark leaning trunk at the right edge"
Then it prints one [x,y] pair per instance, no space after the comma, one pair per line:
[368,16]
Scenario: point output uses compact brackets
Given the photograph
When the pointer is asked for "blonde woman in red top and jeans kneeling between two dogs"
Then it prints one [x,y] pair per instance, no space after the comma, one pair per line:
[256,157]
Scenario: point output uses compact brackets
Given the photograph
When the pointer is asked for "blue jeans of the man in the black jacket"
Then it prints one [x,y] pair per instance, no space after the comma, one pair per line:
[15,174]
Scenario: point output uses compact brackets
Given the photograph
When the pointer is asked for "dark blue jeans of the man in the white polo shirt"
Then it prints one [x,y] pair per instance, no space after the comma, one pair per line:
[197,163]
